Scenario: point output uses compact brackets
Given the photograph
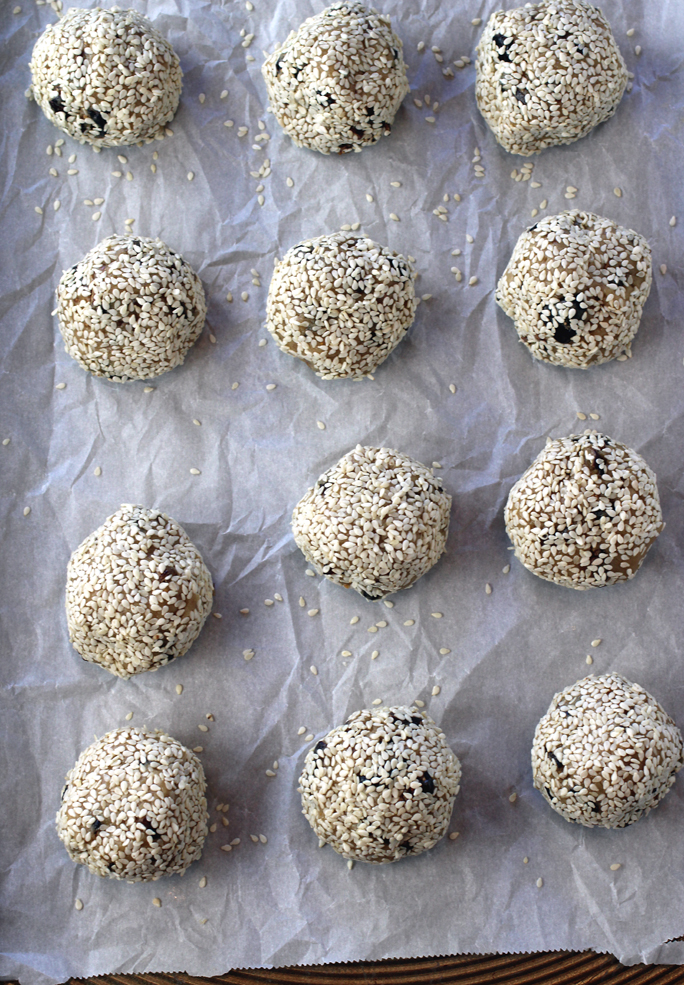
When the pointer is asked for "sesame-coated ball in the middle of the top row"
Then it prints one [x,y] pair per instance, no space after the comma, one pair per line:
[336,84]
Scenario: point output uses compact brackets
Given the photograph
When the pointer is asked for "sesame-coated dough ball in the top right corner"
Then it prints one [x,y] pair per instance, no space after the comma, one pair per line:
[547,73]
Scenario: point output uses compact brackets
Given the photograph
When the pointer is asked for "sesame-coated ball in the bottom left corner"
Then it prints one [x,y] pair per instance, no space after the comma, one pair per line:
[134,807]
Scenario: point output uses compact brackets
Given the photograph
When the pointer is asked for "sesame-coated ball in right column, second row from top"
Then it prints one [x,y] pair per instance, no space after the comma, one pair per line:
[575,287]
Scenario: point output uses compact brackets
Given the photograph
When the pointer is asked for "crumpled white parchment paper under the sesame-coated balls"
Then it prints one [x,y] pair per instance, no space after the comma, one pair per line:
[287,902]
